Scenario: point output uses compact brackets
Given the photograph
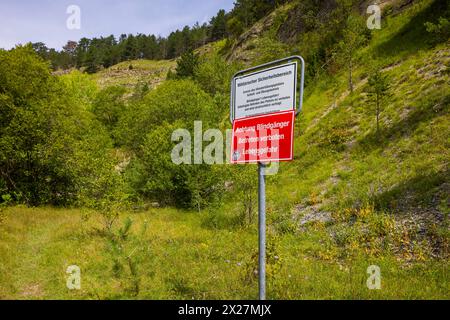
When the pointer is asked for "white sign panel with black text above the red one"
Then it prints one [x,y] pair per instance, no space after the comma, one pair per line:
[267,91]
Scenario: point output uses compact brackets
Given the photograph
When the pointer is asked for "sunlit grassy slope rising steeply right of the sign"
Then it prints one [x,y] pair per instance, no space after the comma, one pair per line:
[412,158]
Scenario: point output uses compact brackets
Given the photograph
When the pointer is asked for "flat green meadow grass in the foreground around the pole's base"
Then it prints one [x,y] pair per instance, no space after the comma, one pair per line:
[177,258]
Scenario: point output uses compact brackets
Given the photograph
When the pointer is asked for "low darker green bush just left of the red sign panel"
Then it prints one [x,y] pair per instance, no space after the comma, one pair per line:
[156,177]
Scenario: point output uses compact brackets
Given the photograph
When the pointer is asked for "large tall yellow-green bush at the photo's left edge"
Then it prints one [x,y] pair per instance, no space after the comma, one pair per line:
[51,148]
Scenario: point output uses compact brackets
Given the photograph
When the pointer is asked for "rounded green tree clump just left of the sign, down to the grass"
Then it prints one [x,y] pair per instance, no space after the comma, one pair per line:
[147,130]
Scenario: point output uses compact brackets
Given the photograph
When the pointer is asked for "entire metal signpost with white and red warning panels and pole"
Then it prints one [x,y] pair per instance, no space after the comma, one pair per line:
[263,100]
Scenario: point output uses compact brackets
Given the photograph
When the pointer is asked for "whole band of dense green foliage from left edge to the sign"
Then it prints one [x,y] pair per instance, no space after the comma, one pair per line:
[57,142]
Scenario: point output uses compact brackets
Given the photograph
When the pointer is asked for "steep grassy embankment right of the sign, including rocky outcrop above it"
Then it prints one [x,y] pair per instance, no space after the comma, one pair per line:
[344,175]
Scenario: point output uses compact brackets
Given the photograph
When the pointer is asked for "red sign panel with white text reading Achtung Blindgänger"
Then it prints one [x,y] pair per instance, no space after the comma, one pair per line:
[266,138]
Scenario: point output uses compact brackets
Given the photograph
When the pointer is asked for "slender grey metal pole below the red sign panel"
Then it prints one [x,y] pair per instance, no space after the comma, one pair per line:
[262,231]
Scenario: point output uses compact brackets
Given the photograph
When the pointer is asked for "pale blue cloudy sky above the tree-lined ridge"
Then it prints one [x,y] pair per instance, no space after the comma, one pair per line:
[23,21]
